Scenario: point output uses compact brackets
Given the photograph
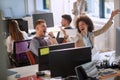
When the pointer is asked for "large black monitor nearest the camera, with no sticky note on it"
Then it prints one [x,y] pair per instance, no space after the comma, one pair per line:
[63,62]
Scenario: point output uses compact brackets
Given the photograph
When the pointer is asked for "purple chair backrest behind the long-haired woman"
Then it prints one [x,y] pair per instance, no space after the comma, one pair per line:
[19,51]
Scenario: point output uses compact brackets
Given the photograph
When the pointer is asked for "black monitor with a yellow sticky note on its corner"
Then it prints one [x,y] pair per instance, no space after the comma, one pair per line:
[43,53]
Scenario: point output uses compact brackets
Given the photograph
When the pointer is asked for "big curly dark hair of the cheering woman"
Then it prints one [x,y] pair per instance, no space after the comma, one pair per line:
[87,20]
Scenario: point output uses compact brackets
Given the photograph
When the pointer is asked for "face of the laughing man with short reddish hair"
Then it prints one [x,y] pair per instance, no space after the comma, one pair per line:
[41,29]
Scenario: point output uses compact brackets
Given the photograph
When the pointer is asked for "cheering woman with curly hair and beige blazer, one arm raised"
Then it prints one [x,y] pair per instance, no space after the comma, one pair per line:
[85,36]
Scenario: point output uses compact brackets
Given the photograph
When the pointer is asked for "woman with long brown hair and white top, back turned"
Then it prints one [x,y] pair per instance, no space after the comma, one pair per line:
[14,34]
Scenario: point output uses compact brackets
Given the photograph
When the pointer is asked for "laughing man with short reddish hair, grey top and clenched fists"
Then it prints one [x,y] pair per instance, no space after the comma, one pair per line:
[38,40]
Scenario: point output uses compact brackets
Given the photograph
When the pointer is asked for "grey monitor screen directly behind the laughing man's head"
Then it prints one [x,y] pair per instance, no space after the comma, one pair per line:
[48,17]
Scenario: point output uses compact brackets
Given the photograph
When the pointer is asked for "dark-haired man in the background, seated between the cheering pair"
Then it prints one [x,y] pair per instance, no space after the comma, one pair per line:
[65,22]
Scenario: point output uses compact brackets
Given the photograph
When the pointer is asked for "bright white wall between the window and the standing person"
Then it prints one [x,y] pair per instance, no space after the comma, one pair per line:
[61,7]
